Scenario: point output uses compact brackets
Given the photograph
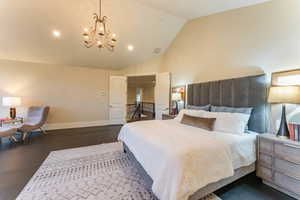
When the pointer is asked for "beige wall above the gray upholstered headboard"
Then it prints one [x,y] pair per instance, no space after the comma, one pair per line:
[247,41]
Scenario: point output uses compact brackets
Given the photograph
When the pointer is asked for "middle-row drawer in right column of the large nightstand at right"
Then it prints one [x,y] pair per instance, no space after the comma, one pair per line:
[287,168]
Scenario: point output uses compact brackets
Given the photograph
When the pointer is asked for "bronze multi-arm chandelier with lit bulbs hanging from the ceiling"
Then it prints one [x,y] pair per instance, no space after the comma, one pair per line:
[98,35]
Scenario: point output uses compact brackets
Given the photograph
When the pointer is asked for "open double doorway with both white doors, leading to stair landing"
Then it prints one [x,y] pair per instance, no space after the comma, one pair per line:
[152,104]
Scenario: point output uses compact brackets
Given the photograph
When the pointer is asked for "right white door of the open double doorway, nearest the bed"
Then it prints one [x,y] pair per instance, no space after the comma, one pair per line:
[162,94]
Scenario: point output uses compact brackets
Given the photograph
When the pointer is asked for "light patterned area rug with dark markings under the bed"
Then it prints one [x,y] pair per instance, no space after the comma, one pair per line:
[101,172]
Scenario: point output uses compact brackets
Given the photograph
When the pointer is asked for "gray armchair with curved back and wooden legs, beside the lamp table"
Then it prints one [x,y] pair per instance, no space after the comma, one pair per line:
[36,118]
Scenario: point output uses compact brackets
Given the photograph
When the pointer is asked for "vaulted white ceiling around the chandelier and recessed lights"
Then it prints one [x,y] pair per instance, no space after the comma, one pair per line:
[26,28]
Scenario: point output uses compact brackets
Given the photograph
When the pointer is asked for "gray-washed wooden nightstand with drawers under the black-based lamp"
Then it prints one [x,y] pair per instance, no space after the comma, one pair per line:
[279,164]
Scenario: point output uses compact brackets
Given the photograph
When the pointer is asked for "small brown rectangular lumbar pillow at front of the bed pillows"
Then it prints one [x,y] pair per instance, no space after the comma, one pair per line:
[199,122]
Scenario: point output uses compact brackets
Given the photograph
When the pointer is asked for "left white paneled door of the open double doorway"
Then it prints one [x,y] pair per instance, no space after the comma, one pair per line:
[117,99]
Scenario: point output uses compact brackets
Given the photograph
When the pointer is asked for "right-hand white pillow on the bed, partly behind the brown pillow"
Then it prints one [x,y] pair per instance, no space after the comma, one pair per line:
[229,122]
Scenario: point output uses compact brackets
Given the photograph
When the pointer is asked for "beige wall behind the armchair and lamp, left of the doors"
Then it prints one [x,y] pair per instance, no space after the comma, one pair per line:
[75,94]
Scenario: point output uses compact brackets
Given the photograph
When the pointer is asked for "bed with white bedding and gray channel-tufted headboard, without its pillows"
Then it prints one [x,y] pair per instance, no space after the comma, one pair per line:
[185,162]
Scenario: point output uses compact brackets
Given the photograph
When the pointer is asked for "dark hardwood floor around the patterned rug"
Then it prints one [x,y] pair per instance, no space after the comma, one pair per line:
[18,162]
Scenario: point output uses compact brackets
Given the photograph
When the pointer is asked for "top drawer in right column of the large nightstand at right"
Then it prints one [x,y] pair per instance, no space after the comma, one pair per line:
[287,152]
